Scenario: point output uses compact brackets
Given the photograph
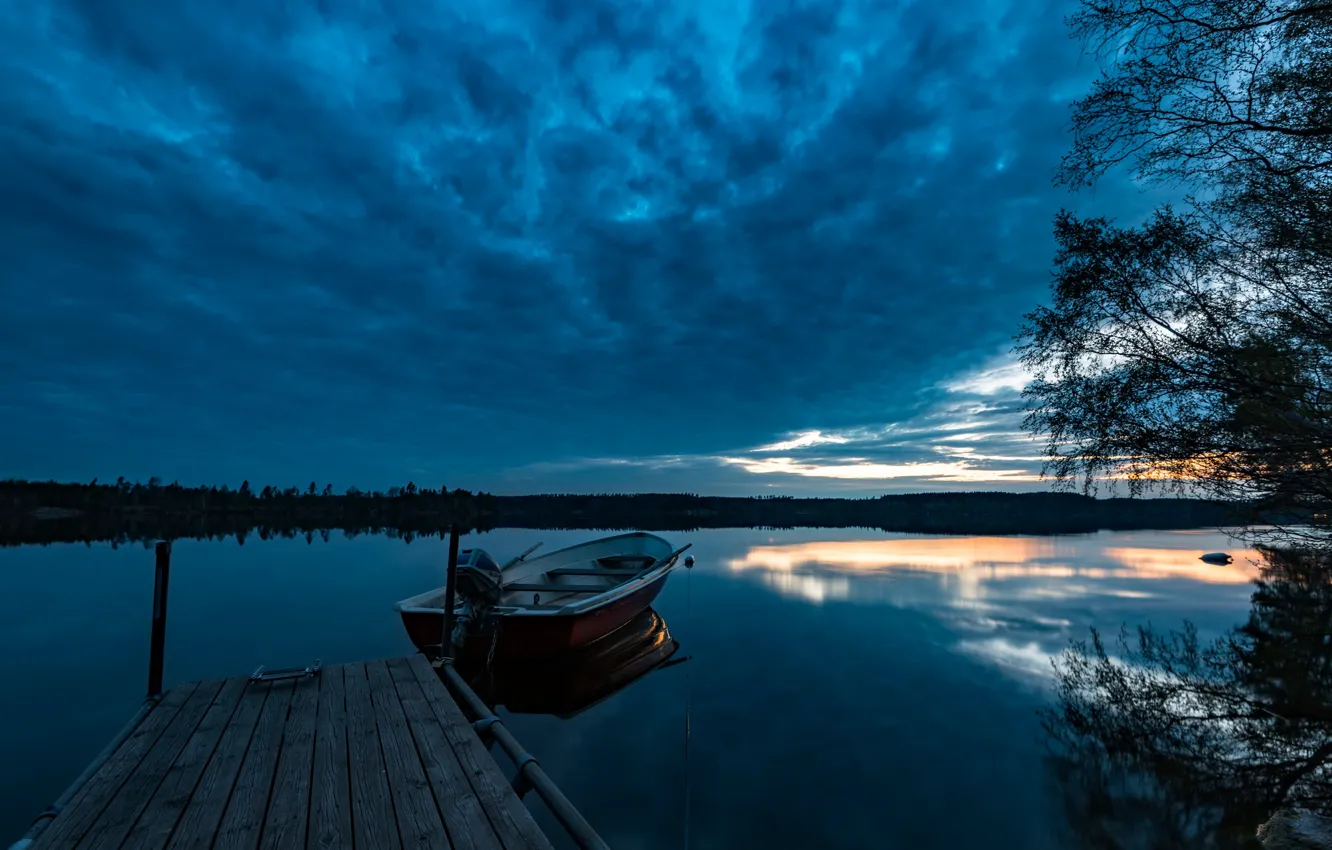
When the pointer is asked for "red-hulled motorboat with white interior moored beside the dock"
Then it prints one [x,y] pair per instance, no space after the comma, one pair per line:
[545,606]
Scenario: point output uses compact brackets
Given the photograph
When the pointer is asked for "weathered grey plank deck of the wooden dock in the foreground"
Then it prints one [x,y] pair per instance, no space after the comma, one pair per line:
[372,756]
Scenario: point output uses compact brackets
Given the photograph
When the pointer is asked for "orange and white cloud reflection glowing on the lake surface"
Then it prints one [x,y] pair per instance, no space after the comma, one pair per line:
[1016,602]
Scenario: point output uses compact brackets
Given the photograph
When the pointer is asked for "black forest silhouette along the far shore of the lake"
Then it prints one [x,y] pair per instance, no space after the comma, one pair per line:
[122,512]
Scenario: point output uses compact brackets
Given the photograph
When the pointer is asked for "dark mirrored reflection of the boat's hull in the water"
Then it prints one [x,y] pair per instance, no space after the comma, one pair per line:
[572,683]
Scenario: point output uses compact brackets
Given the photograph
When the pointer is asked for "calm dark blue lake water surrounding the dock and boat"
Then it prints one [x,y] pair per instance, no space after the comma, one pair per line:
[845,688]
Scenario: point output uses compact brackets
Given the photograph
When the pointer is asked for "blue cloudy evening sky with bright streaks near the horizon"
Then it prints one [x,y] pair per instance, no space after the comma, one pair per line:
[564,246]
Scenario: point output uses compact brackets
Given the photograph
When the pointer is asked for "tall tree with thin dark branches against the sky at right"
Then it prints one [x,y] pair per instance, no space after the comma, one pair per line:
[1195,351]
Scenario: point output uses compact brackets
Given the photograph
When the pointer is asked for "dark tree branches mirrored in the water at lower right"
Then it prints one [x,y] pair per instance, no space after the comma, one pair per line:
[1175,741]
